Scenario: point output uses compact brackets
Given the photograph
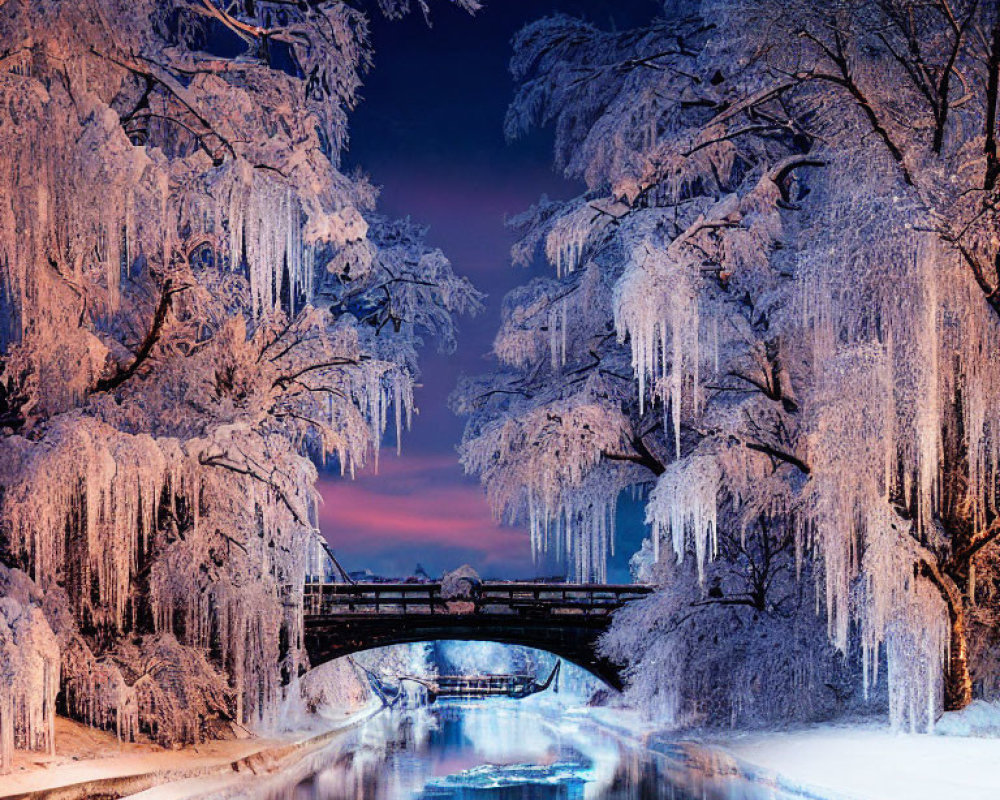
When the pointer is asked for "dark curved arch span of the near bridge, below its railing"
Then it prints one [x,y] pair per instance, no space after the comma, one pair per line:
[334,636]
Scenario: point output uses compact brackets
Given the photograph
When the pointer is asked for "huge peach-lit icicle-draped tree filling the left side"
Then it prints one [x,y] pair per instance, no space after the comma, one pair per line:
[194,301]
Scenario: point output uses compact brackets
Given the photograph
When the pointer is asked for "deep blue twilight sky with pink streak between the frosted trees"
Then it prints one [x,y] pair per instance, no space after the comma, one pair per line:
[429,132]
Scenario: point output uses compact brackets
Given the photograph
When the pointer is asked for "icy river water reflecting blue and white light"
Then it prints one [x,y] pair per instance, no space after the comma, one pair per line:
[501,750]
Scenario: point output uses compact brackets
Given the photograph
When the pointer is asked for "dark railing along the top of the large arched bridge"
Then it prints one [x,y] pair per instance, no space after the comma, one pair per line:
[493,597]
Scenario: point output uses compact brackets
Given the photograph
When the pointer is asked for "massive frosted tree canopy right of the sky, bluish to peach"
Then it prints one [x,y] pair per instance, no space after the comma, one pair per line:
[774,301]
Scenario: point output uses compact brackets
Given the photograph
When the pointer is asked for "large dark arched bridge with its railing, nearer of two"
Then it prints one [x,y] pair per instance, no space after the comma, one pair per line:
[565,619]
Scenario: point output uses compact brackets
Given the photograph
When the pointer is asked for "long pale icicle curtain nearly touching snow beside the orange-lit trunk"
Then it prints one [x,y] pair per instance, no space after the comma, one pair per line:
[853,525]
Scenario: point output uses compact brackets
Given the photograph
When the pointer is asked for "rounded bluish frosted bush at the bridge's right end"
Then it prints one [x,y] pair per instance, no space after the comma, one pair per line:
[712,654]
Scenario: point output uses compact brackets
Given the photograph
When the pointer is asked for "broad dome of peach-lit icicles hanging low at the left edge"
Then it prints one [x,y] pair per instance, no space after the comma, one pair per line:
[107,488]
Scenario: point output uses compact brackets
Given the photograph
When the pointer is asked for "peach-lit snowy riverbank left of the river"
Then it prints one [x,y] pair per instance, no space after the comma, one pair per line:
[90,762]
